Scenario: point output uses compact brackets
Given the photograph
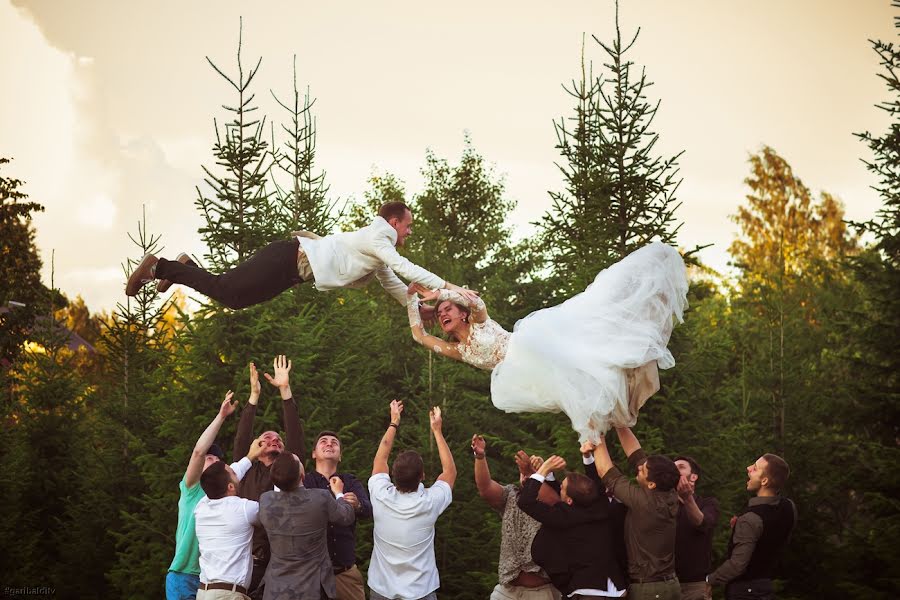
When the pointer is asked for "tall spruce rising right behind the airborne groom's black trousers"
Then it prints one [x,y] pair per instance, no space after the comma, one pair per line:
[239,213]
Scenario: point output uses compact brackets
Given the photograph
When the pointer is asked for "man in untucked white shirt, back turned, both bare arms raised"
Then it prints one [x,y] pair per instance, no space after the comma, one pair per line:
[405,511]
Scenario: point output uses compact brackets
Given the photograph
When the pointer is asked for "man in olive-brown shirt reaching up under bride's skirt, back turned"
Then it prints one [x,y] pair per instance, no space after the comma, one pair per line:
[650,523]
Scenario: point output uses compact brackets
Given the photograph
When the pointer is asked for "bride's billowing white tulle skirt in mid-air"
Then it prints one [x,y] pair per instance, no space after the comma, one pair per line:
[594,356]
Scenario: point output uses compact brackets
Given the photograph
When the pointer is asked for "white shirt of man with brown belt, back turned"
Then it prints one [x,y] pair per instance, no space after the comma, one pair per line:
[225,533]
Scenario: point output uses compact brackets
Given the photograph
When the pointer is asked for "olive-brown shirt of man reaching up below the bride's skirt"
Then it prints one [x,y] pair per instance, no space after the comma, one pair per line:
[649,524]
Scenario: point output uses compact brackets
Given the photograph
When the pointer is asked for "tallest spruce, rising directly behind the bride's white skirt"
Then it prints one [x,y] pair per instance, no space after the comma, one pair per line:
[620,194]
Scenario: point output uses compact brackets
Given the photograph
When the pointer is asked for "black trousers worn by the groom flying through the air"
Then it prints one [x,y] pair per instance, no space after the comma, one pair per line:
[263,276]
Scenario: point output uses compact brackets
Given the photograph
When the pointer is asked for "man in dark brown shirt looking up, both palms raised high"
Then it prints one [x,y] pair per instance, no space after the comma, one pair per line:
[258,479]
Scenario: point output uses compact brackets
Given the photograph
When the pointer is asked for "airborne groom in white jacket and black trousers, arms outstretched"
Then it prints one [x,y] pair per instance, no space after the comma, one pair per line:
[341,260]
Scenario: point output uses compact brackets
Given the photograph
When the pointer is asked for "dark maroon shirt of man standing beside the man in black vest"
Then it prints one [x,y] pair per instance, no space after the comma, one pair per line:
[693,543]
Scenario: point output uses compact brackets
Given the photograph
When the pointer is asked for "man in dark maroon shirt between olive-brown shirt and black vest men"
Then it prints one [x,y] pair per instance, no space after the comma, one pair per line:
[695,524]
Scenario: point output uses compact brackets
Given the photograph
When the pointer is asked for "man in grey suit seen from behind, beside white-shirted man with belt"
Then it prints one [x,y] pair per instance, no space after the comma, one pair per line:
[296,520]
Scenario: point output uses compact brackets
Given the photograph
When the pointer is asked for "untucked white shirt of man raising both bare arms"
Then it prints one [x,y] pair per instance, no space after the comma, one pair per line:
[403,563]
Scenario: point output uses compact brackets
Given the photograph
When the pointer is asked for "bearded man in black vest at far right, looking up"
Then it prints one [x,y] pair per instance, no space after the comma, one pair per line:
[758,534]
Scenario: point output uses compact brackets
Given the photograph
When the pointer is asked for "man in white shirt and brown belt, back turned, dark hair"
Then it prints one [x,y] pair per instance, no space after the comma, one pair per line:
[224,525]
